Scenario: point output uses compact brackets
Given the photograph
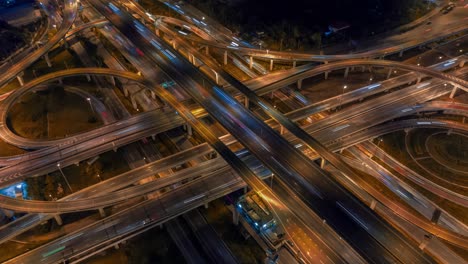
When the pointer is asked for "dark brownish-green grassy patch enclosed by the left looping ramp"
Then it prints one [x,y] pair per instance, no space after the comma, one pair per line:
[47,114]
